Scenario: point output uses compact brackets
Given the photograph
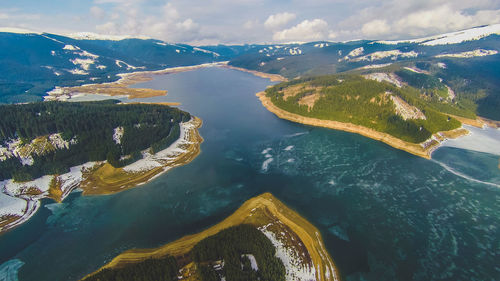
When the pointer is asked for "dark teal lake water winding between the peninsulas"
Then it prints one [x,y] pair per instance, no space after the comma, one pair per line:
[384,214]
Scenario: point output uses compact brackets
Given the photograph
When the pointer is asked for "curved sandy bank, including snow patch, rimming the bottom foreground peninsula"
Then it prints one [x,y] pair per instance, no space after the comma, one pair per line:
[269,215]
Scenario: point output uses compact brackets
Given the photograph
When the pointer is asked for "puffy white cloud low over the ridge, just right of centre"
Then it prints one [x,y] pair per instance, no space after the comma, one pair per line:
[307,30]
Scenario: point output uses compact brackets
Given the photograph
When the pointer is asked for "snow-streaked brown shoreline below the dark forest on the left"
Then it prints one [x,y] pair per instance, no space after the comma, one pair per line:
[85,177]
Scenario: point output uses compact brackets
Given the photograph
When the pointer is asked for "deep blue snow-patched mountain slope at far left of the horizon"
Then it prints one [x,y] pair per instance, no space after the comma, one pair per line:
[33,63]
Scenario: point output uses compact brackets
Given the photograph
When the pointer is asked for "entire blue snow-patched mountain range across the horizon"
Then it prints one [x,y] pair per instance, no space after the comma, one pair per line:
[31,64]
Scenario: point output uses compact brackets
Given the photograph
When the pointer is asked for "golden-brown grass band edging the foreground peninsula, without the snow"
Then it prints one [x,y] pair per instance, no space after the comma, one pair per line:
[258,211]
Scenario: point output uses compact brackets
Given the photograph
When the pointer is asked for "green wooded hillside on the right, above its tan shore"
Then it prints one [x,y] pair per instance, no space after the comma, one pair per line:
[354,99]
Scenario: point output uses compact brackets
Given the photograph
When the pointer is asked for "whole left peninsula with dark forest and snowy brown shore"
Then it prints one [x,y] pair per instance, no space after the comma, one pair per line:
[49,149]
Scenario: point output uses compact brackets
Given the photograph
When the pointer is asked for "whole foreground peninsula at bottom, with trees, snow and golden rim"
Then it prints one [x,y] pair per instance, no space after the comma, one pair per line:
[268,241]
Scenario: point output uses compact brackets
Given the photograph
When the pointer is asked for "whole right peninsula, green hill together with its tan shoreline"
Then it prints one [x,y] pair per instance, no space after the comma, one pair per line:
[396,114]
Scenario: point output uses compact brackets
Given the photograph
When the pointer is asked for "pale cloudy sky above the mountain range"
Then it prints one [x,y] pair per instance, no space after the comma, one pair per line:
[251,21]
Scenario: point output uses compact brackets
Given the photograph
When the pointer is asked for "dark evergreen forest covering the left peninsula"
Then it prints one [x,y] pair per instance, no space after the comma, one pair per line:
[91,125]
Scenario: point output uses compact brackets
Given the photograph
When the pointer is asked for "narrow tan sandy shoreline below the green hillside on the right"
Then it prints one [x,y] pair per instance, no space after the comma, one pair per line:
[423,149]
